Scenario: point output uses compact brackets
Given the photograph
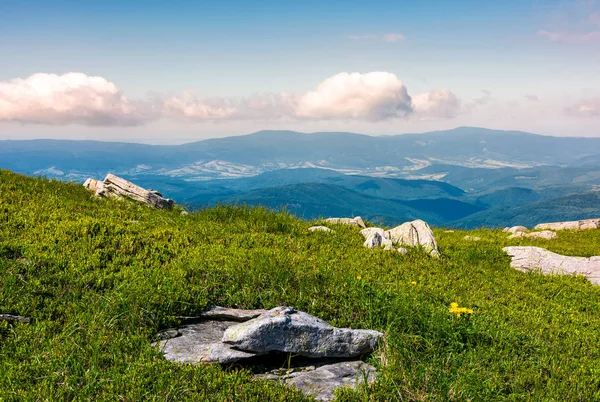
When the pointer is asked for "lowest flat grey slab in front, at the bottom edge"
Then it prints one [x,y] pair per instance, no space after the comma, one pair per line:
[320,381]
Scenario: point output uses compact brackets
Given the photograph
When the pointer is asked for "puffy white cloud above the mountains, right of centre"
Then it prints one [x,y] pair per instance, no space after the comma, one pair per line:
[372,96]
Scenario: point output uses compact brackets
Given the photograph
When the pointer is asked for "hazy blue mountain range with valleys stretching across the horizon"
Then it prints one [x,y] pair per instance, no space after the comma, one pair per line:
[465,177]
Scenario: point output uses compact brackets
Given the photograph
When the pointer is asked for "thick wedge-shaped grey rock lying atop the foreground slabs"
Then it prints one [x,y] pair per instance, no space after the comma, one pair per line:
[285,329]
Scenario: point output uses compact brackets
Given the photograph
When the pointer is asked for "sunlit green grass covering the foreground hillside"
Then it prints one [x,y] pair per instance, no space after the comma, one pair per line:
[99,278]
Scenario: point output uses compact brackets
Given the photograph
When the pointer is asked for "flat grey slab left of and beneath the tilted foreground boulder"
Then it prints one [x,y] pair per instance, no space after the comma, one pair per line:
[200,343]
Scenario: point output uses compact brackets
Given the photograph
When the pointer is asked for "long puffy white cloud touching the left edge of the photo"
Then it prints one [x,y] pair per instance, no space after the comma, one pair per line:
[66,99]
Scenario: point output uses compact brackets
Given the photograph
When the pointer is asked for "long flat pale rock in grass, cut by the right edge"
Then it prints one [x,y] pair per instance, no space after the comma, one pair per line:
[536,258]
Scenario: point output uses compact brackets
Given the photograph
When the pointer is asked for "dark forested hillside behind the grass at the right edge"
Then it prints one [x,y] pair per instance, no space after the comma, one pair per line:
[571,207]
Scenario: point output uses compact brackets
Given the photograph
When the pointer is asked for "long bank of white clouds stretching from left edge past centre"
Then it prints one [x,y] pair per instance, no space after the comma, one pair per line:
[76,98]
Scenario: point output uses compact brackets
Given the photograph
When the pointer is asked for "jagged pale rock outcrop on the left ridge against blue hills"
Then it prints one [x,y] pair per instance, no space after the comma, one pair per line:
[114,186]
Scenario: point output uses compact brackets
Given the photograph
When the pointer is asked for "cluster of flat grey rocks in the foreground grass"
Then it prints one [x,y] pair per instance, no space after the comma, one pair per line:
[331,356]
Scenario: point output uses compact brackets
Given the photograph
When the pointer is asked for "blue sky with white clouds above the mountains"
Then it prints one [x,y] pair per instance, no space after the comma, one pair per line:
[170,72]
